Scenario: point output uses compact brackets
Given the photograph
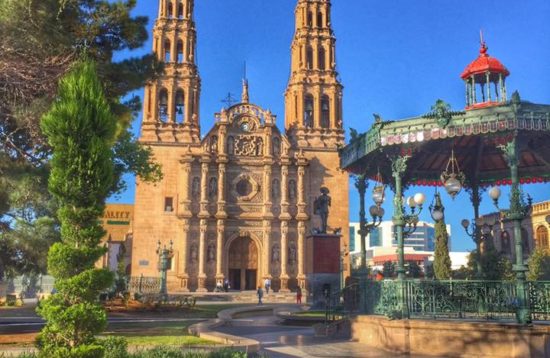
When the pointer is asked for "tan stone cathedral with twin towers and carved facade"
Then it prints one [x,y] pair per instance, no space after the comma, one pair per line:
[236,201]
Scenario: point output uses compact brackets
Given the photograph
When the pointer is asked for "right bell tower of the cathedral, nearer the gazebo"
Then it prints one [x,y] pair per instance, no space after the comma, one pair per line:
[313,98]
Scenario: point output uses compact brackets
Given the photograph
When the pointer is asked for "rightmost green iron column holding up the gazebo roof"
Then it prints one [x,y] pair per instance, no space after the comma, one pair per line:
[518,211]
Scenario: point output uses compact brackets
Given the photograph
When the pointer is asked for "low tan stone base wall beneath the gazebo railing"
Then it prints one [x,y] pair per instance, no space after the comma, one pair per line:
[452,338]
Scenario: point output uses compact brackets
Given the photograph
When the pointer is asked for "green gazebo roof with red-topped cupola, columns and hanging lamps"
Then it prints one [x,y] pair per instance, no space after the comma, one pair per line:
[494,141]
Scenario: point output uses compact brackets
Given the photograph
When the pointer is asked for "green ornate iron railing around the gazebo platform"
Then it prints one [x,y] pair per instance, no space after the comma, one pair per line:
[461,299]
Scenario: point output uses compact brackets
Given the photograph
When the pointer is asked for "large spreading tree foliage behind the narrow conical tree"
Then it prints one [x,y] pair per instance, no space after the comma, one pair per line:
[41,41]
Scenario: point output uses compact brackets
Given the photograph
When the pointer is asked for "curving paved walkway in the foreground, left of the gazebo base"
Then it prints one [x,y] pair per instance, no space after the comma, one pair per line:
[288,341]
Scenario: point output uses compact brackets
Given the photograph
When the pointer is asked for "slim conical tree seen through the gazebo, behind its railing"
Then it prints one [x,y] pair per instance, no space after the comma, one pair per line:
[442,260]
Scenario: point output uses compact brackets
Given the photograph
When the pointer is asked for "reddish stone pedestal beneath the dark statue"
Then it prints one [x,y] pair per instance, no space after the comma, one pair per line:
[326,268]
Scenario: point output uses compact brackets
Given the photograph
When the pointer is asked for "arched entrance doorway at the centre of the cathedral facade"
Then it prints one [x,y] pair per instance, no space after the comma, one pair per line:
[243,264]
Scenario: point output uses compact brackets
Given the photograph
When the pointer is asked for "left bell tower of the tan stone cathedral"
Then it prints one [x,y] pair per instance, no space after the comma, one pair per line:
[171,102]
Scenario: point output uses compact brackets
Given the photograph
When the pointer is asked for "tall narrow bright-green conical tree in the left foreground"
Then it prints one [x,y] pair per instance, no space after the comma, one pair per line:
[81,130]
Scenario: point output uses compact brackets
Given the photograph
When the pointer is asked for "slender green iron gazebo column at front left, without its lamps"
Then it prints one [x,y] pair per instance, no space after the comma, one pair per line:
[399,166]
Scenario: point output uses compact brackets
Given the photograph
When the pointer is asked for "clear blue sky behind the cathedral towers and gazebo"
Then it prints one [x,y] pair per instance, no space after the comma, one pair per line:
[394,57]
